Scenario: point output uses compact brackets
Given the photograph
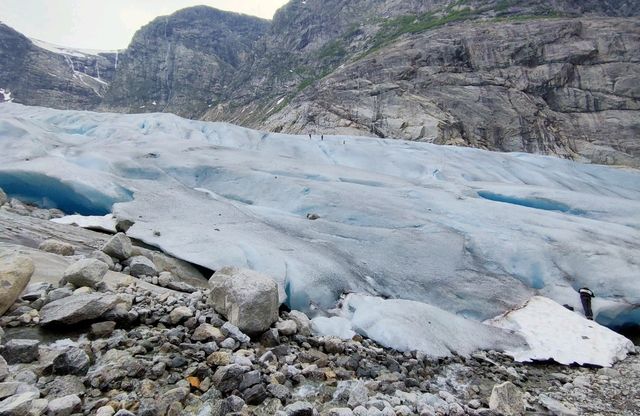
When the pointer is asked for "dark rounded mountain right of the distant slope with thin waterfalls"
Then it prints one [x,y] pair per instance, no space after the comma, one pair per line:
[183,62]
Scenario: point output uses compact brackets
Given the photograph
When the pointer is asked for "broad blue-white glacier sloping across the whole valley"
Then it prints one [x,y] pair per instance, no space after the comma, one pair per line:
[471,232]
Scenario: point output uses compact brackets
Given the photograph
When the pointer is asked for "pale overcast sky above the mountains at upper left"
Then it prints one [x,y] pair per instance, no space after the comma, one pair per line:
[106,24]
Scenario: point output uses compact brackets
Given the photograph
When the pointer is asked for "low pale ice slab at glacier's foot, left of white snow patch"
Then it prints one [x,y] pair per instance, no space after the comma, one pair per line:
[413,326]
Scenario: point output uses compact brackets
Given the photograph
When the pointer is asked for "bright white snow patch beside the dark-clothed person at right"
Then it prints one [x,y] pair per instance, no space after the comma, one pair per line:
[554,332]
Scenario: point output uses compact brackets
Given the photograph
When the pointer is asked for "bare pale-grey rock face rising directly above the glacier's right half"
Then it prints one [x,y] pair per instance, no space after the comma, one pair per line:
[557,86]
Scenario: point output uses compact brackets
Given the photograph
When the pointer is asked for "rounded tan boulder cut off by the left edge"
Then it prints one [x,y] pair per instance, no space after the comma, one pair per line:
[15,272]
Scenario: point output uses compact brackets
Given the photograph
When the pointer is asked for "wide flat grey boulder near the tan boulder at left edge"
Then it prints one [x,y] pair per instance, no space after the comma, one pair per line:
[77,308]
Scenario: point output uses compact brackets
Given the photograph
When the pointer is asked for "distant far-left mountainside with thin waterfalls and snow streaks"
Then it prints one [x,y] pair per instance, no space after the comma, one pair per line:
[38,76]
